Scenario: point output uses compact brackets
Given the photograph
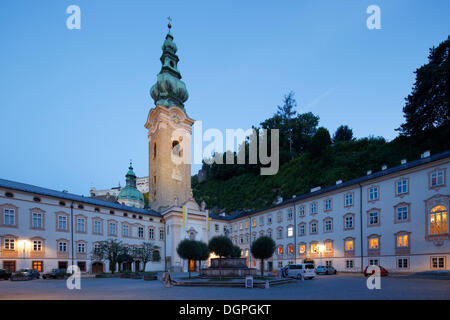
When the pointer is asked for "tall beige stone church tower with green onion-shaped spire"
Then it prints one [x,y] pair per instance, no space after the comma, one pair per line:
[169,135]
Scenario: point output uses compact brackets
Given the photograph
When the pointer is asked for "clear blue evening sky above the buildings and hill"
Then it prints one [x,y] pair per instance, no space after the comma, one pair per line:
[73,103]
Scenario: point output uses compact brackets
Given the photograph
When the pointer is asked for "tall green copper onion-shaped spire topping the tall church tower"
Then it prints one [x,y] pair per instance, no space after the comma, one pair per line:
[169,90]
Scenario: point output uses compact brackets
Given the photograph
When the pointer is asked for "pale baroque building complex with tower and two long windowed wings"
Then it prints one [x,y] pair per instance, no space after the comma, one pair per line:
[395,217]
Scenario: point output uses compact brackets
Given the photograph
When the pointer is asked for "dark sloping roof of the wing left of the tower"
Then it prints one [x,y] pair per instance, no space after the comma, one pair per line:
[72,197]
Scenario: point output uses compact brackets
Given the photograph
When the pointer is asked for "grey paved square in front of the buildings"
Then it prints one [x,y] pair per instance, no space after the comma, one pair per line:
[342,286]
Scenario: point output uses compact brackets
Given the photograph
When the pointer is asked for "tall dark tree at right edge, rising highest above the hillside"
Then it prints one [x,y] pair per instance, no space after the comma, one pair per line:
[428,105]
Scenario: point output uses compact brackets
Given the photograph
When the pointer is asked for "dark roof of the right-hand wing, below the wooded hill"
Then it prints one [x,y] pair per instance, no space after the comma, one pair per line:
[375,175]
